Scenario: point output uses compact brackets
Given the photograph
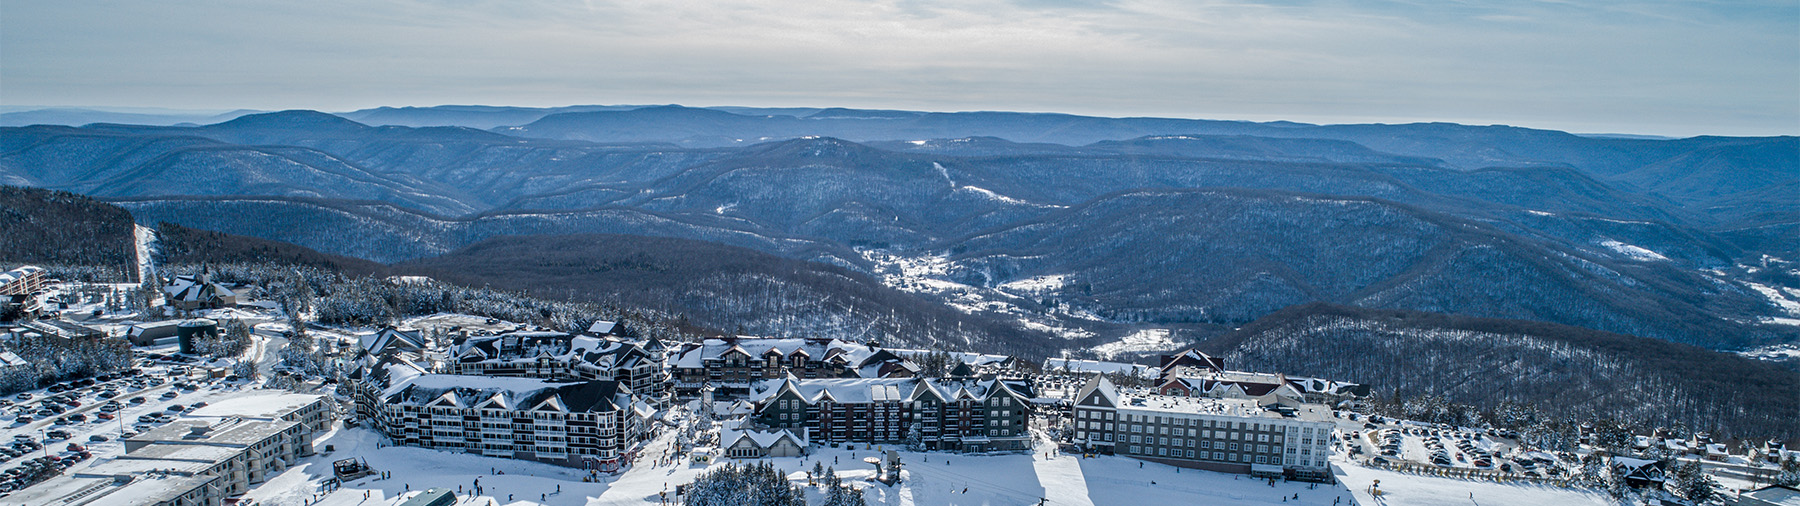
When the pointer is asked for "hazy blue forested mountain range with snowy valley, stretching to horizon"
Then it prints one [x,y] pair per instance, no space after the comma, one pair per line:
[1068,231]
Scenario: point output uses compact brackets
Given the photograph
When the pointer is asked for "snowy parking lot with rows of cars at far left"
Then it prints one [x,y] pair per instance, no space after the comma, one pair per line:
[71,424]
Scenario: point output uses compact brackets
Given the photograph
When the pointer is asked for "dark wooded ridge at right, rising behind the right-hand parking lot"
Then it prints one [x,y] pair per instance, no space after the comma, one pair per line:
[1515,374]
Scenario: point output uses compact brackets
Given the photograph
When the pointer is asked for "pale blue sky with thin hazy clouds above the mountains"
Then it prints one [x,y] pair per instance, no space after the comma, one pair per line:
[1653,68]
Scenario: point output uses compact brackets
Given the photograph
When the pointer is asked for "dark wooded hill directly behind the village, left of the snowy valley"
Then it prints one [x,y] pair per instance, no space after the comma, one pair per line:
[723,287]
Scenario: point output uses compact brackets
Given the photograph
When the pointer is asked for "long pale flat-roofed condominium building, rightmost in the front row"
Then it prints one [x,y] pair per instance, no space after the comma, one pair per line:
[1223,435]
